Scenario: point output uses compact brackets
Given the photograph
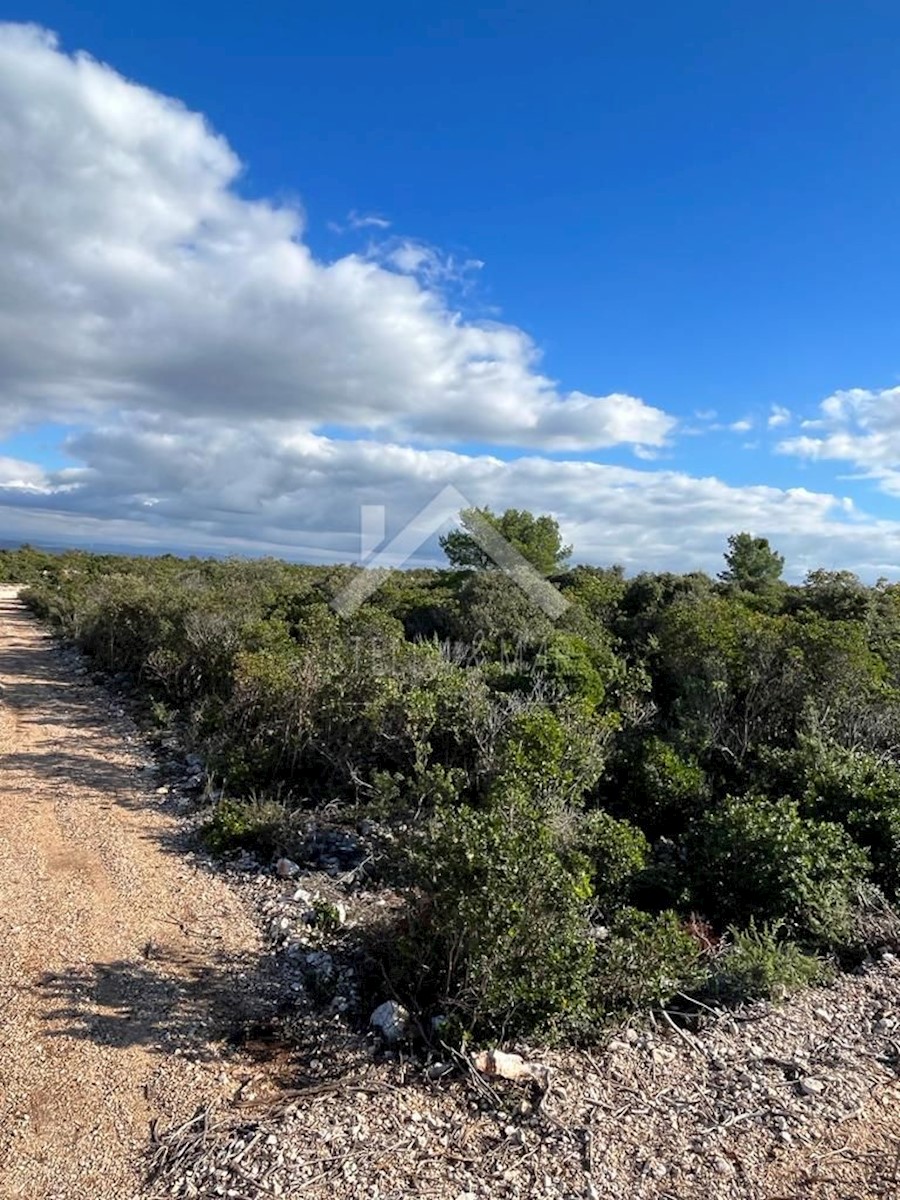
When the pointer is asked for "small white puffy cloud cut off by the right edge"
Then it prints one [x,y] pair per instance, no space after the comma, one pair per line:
[860,428]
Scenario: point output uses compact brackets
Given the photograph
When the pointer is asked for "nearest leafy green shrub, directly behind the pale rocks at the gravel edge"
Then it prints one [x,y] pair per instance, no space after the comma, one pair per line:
[497,927]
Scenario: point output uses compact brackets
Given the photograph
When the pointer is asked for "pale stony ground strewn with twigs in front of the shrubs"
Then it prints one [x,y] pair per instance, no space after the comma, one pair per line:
[797,1102]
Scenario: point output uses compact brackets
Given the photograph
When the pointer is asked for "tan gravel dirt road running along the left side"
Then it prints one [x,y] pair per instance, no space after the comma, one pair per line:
[118,958]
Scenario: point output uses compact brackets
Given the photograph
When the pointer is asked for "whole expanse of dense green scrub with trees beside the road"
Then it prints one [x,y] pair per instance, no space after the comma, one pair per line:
[682,787]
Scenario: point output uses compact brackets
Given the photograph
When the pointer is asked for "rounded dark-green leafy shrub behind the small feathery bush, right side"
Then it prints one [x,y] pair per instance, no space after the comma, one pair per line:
[757,859]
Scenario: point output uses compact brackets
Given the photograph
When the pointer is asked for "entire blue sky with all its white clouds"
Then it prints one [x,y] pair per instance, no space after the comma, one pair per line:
[632,266]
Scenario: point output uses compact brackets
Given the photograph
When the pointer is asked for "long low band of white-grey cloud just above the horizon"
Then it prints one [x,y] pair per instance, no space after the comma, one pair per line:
[196,483]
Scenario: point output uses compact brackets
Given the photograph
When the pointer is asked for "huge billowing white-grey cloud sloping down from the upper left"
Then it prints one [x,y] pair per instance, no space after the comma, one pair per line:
[134,275]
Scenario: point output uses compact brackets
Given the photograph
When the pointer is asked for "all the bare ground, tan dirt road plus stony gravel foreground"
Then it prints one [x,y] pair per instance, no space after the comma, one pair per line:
[176,1027]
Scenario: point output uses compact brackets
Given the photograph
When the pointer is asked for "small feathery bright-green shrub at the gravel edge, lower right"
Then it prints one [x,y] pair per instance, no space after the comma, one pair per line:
[759,965]
